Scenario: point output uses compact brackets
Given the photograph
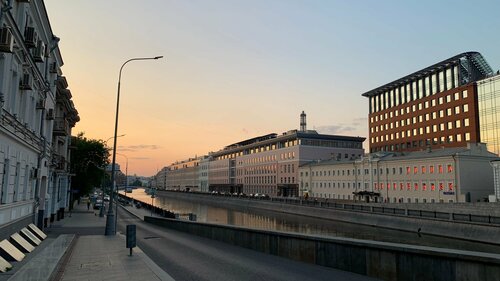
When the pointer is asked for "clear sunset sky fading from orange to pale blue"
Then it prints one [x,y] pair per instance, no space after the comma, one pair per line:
[233,70]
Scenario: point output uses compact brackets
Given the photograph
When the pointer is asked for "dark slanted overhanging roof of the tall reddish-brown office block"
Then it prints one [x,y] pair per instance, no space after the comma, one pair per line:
[477,60]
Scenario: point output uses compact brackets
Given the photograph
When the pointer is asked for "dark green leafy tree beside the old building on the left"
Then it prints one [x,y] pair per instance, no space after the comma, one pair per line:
[89,159]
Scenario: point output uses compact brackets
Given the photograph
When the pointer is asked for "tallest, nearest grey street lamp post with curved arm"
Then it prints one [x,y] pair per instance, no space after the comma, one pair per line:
[110,219]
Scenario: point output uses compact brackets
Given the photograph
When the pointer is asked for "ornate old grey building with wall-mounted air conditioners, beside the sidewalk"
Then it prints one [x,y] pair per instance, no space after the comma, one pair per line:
[36,117]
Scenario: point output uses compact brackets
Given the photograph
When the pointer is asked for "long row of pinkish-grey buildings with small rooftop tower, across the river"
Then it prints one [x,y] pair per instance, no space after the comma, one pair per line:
[265,164]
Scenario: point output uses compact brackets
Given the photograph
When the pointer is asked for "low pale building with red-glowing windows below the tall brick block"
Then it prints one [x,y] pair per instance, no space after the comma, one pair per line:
[460,174]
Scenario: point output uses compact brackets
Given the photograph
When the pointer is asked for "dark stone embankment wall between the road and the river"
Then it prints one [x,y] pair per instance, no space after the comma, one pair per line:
[387,261]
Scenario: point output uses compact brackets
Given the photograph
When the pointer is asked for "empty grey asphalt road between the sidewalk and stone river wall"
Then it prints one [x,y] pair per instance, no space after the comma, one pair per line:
[189,257]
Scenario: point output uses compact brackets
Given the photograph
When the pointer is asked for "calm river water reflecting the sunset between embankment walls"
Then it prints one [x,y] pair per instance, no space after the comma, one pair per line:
[267,220]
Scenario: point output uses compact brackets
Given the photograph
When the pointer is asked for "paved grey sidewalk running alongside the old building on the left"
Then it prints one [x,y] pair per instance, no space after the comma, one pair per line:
[93,256]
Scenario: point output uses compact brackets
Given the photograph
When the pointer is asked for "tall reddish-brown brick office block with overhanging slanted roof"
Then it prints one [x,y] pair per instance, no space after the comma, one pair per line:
[433,107]
